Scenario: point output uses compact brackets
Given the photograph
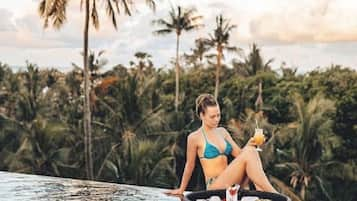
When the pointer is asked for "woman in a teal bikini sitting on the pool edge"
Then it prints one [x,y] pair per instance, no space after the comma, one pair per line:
[212,144]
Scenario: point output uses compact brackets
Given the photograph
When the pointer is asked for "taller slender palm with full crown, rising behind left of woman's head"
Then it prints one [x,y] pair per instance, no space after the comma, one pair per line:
[182,20]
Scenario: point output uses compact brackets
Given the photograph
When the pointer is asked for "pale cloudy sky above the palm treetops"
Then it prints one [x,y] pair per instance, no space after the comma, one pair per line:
[303,34]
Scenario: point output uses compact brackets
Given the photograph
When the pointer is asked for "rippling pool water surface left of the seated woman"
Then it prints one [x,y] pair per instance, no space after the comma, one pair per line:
[15,186]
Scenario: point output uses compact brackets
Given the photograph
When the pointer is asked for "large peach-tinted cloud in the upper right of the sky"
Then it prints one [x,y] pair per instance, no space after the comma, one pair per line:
[306,22]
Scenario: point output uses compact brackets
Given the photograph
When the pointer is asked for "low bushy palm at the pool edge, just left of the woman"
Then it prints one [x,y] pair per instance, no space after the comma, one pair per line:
[142,162]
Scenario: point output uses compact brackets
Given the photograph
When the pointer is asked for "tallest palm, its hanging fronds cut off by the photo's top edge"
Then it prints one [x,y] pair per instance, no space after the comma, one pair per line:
[55,11]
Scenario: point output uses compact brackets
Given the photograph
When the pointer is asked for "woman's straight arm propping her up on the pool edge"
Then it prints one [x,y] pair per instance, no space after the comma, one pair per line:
[191,152]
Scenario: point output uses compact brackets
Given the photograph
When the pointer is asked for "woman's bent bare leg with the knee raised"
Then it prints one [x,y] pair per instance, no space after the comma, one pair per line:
[247,163]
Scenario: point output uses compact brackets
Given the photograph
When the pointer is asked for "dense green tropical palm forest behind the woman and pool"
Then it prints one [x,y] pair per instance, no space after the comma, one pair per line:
[139,137]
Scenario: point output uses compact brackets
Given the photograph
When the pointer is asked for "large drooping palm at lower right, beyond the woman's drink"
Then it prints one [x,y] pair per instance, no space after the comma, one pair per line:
[304,159]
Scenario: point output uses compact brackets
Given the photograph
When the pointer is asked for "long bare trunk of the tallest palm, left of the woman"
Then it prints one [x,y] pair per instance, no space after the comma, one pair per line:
[87,112]
